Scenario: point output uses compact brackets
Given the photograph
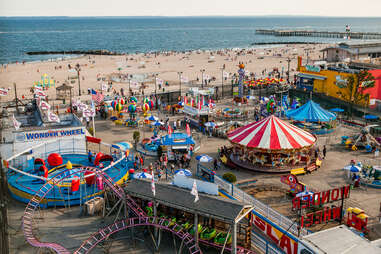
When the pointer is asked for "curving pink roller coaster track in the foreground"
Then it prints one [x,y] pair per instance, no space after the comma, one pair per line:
[102,234]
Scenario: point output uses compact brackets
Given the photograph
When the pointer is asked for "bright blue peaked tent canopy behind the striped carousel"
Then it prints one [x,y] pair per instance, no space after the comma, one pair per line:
[311,112]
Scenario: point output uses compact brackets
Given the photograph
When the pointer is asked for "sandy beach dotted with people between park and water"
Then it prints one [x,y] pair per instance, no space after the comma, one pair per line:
[258,61]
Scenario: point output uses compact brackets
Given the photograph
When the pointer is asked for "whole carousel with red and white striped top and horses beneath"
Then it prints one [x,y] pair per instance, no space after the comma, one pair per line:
[271,145]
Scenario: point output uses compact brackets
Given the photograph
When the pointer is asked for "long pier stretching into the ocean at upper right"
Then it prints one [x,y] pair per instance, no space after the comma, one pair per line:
[327,34]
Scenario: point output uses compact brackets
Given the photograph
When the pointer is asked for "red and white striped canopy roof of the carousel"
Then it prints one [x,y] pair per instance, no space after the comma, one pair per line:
[271,133]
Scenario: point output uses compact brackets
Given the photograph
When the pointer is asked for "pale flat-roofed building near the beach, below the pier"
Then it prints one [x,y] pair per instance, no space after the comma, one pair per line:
[352,50]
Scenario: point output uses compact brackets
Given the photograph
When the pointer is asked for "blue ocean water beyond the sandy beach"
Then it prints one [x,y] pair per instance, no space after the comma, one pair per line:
[143,34]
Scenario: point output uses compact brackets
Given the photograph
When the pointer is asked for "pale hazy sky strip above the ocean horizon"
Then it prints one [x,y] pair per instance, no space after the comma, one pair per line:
[338,8]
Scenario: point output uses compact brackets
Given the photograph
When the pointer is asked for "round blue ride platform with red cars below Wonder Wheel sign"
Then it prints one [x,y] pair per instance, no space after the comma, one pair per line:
[72,190]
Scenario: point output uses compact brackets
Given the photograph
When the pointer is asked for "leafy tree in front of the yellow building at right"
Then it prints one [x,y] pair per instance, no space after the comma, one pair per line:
[354,91]
